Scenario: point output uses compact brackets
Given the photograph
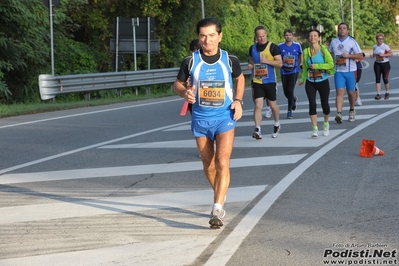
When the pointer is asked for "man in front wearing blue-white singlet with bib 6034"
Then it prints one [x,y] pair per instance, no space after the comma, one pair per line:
[216,96]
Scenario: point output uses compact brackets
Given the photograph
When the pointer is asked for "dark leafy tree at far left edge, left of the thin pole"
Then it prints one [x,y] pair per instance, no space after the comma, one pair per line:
[22,48]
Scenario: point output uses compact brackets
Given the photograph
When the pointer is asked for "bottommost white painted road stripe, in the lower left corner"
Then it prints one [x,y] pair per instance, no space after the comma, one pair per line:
[166,253]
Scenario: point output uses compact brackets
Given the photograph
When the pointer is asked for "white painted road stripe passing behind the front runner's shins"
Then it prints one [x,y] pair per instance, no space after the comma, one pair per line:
[110,205]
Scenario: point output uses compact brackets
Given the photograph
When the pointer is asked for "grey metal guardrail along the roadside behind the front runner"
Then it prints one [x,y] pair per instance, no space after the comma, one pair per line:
[50,86]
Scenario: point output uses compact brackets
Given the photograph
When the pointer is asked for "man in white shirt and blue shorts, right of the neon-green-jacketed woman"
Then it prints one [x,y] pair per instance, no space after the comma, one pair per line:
[345,50]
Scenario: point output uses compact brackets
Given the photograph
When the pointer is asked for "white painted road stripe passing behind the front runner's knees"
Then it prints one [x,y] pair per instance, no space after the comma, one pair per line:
[141,169]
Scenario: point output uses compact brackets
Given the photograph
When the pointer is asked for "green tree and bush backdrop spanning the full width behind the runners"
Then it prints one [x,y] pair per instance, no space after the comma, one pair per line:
[83,29]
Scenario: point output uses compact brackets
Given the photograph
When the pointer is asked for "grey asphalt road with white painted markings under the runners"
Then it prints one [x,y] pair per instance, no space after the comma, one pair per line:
[123,185]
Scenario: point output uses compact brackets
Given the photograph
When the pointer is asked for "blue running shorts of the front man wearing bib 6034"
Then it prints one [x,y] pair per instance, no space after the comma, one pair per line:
[204,128]
